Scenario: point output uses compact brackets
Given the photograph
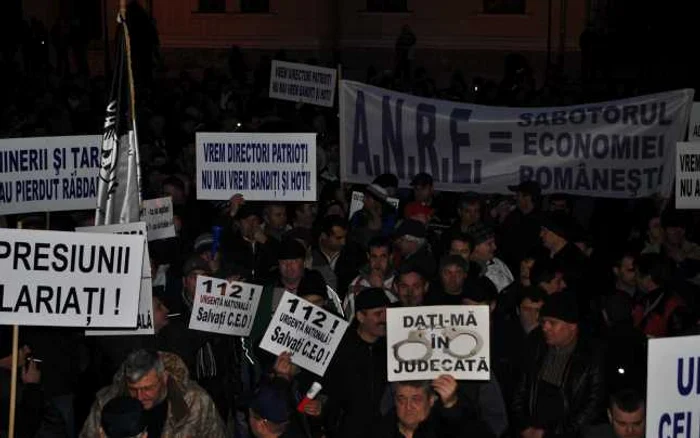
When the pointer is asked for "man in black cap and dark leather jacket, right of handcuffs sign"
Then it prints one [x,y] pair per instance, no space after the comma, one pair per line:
[561,391]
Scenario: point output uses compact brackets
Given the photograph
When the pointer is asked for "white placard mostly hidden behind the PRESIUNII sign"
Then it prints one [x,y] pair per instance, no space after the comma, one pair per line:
[144,323]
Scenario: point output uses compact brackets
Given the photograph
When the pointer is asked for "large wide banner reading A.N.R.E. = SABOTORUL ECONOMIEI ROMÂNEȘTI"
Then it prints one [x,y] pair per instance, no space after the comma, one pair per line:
[617,149]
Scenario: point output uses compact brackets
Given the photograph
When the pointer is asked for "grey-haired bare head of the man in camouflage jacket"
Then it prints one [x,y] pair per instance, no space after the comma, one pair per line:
[146,378]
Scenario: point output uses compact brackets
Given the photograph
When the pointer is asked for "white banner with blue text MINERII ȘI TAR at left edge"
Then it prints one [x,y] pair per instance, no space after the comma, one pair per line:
[49,173]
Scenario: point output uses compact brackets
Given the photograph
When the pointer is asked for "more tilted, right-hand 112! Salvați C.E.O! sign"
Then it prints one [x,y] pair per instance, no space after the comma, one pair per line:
[309,332]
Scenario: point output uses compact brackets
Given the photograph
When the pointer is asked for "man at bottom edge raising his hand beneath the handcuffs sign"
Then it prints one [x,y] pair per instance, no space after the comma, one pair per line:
[419,413]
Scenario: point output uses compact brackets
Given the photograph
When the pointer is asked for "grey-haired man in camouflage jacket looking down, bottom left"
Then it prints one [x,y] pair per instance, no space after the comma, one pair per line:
[173,404]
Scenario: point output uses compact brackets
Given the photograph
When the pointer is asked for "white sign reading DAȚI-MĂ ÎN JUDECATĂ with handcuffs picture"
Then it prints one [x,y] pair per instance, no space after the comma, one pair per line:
[426,342]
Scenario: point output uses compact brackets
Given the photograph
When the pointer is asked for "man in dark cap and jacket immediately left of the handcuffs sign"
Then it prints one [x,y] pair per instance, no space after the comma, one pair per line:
[357,377]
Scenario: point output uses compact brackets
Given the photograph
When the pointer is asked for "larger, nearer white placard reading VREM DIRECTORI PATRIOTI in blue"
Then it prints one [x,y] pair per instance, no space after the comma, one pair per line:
[261,167]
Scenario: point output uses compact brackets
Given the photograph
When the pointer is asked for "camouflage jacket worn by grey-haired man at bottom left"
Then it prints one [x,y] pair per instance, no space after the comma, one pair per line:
[191,412]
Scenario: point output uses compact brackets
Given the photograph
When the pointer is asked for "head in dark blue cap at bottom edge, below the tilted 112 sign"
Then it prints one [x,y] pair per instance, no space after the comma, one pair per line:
[269,412]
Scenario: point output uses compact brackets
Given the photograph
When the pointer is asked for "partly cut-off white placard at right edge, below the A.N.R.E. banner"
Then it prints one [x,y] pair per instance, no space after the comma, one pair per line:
[688,175]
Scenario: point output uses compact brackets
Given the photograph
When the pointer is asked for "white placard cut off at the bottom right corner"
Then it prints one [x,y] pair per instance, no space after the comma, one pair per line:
[673,387]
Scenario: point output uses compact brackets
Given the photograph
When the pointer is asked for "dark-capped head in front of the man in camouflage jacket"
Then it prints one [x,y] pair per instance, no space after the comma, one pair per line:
[123,417]
